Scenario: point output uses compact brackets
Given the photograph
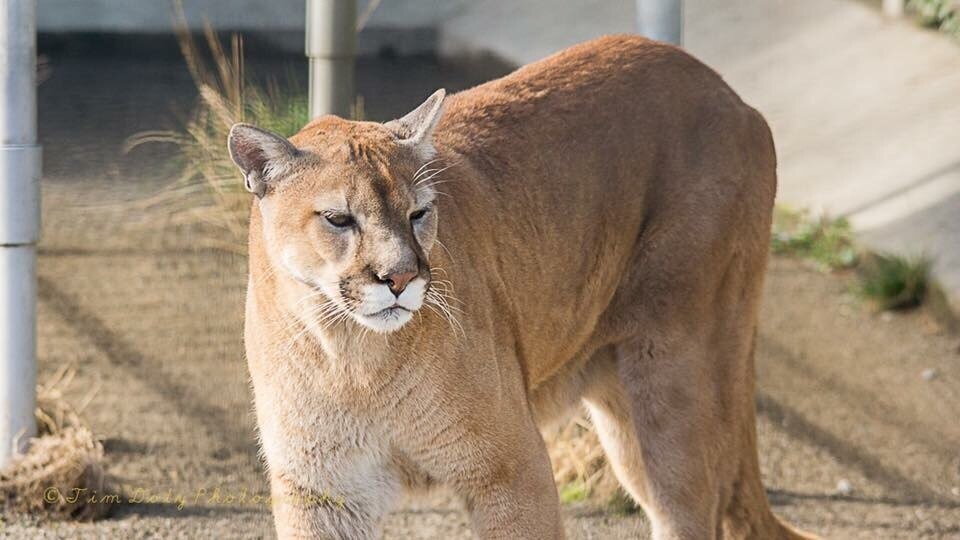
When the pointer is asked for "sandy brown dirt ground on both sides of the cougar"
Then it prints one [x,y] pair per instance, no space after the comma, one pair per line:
[152,324]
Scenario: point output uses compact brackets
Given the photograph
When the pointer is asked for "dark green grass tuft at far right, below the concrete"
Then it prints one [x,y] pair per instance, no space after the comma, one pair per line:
[895,282]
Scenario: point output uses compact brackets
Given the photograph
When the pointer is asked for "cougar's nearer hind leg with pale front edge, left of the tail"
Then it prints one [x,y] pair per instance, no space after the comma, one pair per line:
[657,438]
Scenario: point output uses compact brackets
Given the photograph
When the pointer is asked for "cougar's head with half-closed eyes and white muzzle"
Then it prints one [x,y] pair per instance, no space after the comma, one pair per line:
[347,213]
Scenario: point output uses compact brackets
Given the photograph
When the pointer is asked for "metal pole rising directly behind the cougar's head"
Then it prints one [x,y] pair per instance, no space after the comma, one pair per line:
[331,48]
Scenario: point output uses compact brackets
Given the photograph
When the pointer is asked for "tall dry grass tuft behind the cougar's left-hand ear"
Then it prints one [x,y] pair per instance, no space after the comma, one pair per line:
[208,190]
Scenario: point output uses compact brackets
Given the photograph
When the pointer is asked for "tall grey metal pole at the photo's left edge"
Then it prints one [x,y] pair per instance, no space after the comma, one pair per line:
[19,225]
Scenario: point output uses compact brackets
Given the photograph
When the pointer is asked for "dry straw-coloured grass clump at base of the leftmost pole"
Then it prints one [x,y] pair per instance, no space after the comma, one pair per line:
[63,458]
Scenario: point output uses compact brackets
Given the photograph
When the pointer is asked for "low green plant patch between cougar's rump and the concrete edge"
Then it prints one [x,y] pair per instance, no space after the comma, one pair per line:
[827,242]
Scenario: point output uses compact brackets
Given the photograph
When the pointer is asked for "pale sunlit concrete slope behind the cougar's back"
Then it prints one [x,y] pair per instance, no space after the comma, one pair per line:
[864,110]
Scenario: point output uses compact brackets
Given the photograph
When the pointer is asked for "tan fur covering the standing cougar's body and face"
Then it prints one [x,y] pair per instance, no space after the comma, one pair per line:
[604,226]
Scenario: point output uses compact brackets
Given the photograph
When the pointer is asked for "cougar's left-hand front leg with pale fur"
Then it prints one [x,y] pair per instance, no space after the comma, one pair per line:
[330,476]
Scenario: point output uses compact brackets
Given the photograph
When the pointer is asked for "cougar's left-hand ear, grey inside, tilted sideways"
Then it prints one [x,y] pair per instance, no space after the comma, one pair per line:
[262,156]
